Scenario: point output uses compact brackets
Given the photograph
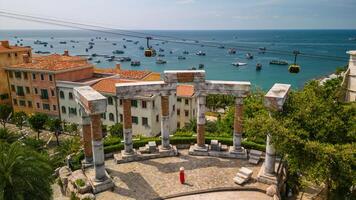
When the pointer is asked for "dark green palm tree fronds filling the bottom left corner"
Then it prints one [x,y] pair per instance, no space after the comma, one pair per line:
[24,173]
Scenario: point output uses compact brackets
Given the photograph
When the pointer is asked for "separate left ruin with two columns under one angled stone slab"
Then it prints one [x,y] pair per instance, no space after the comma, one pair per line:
[93,104]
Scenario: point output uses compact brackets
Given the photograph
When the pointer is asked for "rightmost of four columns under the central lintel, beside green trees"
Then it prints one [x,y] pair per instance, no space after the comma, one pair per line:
[238,124]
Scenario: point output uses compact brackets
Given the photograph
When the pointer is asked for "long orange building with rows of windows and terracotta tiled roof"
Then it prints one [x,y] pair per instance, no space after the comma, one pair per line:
[33,82]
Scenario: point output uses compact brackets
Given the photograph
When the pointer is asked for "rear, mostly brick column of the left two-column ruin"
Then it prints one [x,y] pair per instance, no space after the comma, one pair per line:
[87,140]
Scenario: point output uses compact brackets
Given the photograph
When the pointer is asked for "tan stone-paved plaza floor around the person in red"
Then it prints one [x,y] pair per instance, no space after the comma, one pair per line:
[160,177]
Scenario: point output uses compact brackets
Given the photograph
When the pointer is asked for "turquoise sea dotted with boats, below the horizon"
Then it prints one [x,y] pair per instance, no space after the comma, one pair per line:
[217,61]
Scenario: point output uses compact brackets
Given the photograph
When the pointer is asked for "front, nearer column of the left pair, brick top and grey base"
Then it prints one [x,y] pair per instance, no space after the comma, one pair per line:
[98,148]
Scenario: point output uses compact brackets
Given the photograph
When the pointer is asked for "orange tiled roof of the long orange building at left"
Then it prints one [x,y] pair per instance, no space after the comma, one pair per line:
[53,62]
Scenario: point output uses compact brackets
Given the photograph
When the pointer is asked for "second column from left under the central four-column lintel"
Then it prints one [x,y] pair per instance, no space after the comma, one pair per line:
[165,122]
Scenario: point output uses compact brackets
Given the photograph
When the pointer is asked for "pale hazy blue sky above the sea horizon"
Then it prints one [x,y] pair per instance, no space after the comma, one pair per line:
[187,14]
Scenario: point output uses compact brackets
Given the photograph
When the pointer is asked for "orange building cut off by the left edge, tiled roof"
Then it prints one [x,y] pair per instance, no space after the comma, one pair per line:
[9,55]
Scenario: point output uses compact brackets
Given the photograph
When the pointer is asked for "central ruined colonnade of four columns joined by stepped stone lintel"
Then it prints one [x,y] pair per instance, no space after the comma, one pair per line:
[171,79]
